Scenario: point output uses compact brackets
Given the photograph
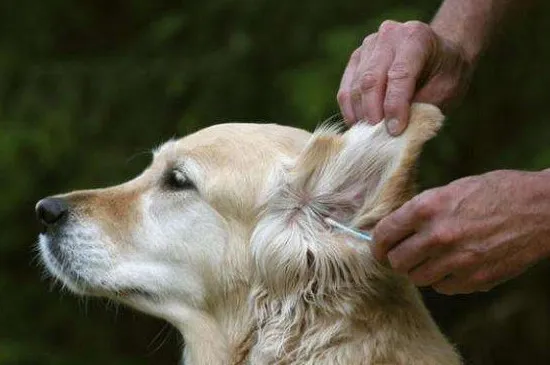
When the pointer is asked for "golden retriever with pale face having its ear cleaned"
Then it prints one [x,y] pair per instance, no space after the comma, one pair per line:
[224,236]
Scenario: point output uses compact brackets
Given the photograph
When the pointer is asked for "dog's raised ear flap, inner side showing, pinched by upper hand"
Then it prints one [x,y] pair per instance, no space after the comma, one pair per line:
[364,174]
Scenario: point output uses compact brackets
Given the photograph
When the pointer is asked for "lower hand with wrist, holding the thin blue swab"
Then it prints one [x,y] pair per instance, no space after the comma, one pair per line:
[470,235]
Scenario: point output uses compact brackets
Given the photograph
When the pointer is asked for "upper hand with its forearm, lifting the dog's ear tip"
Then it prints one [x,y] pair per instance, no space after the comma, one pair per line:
[414,61]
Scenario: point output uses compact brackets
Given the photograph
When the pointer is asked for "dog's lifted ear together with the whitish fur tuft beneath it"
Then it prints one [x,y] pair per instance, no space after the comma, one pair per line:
[357,178]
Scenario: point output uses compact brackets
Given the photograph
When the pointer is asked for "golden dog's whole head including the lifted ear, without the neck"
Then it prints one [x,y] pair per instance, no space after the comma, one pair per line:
[221,204]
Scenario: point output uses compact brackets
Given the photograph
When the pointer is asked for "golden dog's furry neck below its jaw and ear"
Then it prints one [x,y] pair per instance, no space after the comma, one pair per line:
[371,317]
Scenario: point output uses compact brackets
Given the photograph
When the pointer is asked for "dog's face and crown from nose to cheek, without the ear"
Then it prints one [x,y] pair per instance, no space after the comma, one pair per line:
[167,233]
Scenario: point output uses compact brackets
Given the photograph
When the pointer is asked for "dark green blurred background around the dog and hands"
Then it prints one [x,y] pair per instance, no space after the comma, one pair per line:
[88,87]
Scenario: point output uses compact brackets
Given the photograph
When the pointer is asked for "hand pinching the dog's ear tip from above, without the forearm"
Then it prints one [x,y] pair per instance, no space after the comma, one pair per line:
[401,63]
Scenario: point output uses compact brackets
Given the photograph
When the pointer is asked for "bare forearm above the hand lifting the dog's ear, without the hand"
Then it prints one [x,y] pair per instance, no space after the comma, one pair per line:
[470,23]
